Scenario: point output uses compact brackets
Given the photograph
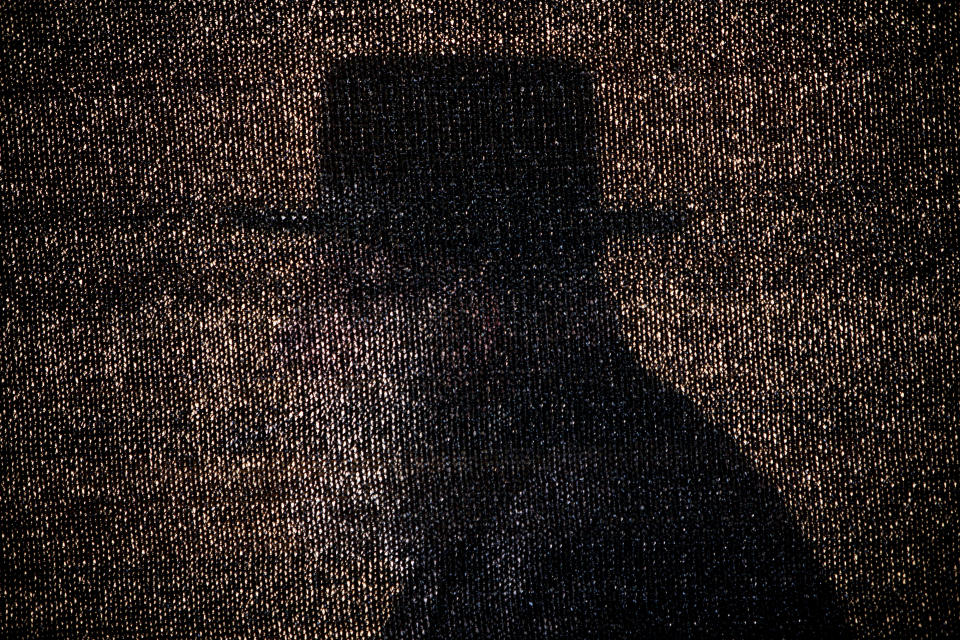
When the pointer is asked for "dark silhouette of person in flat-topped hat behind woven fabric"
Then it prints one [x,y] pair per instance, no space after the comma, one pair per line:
[598,501]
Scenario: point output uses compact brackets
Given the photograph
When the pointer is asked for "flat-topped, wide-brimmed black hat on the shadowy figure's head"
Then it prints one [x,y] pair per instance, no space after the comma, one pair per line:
[472,157]
